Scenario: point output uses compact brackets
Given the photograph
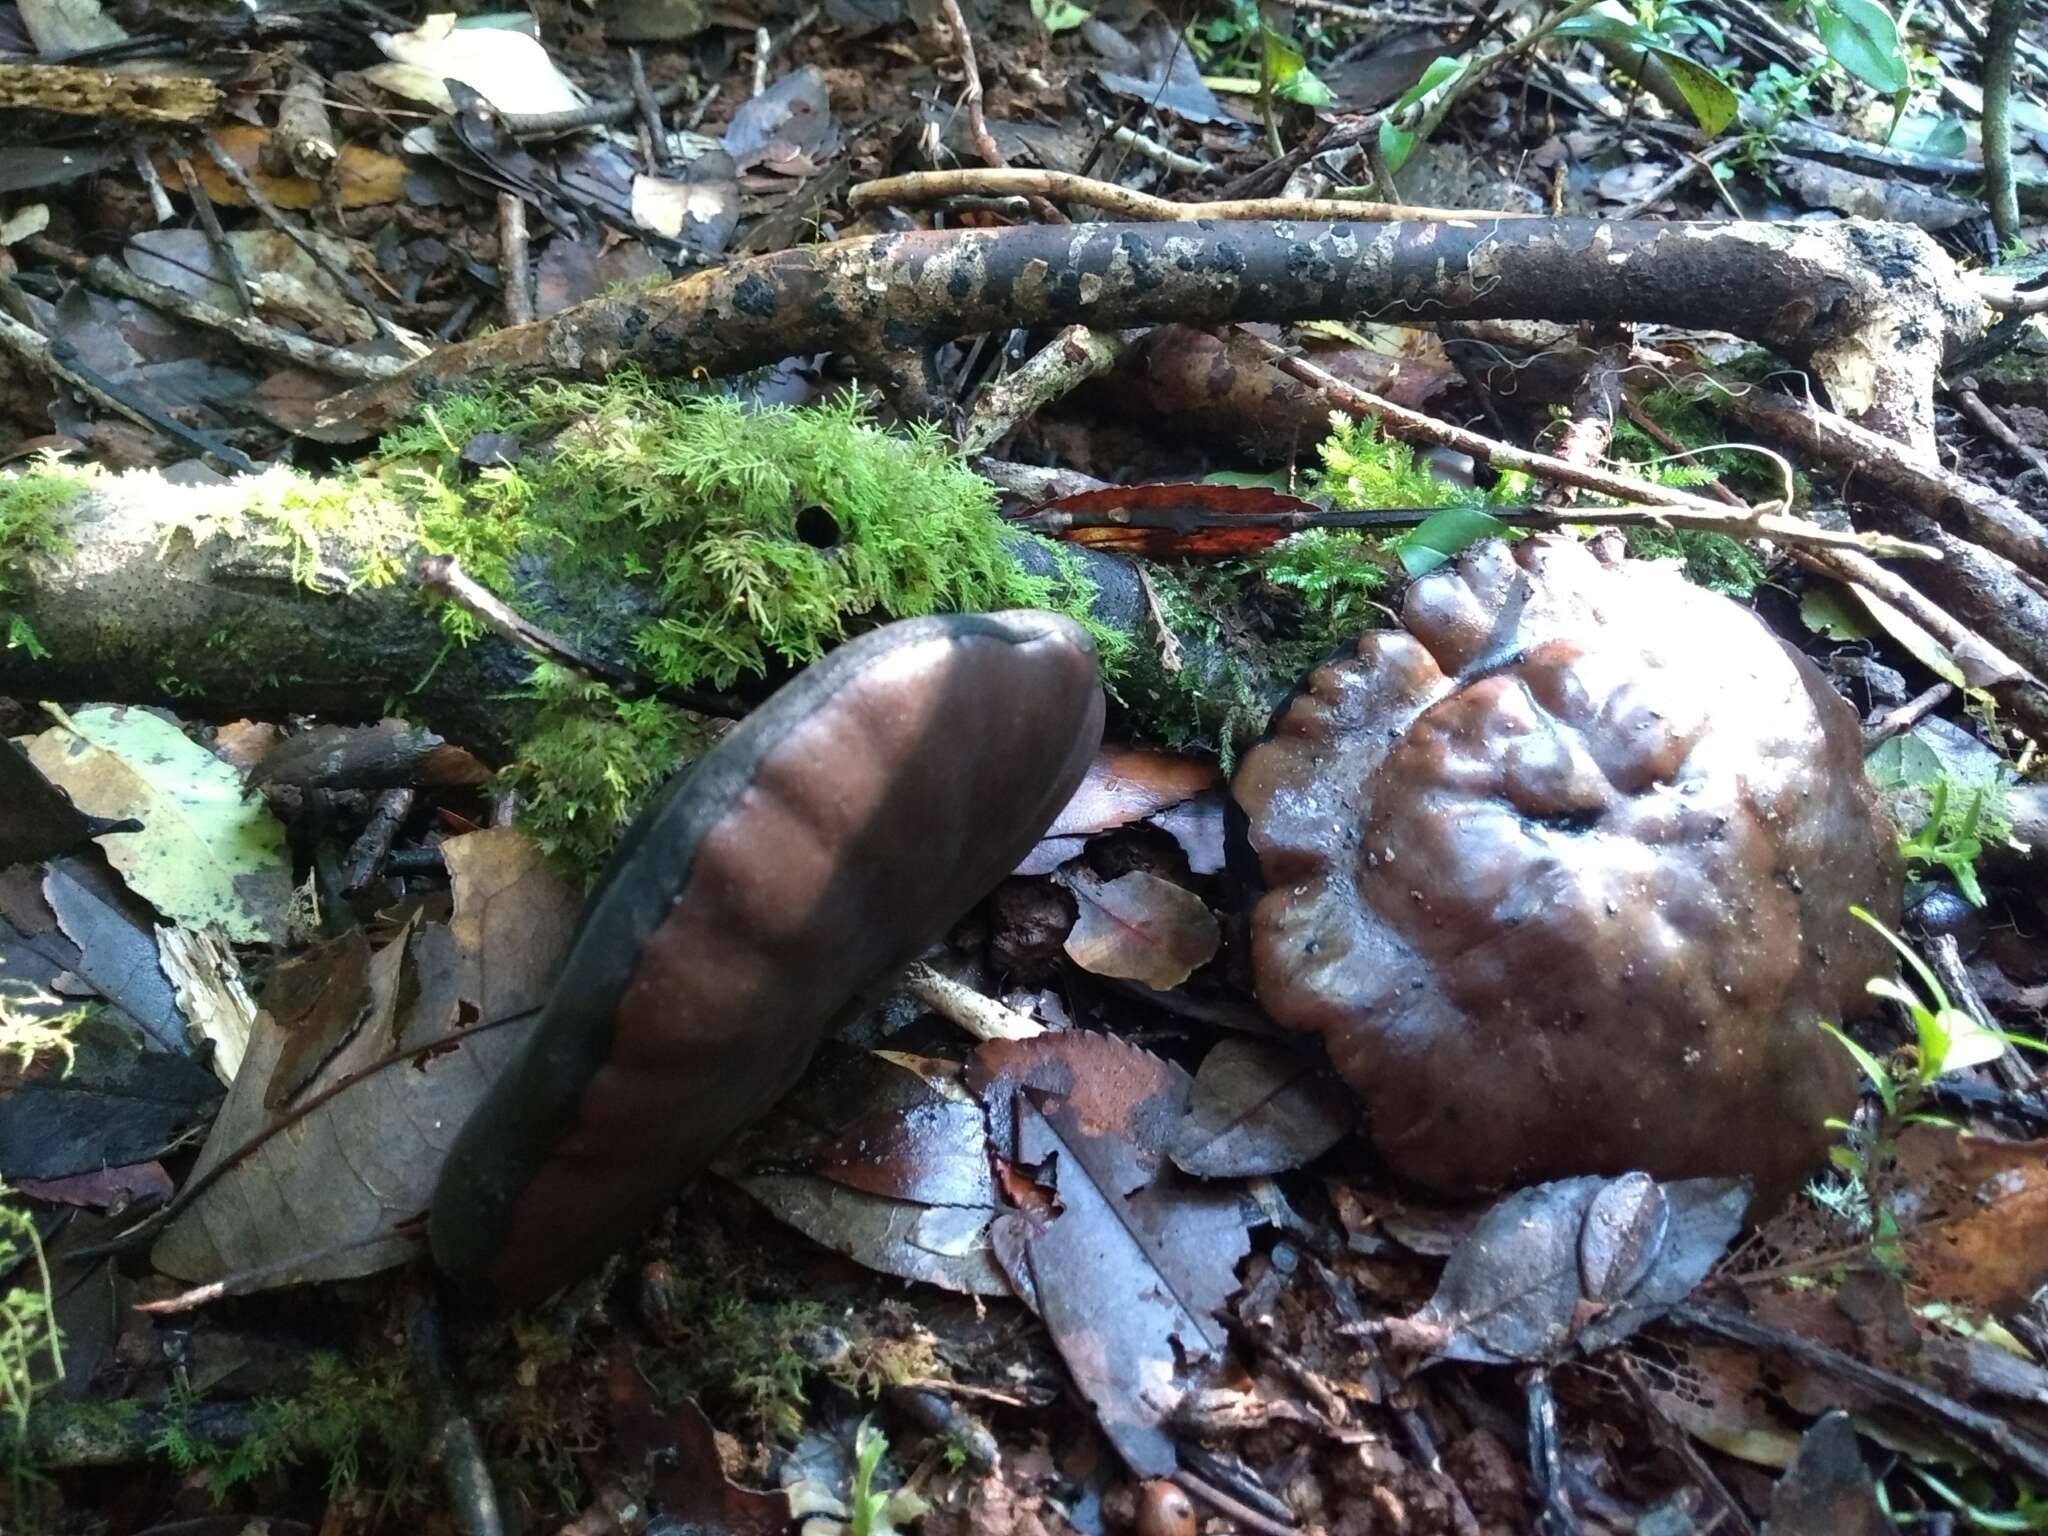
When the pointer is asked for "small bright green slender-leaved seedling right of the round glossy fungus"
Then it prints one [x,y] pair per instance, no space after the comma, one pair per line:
[1945,1039]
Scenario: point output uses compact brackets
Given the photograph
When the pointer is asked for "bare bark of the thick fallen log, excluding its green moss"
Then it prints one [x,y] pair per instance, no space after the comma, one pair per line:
[173,595]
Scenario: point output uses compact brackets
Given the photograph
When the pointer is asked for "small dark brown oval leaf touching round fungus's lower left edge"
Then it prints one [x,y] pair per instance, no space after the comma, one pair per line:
[1261,1109]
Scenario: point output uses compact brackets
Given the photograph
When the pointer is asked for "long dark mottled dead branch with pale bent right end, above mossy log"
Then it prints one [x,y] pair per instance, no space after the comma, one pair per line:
[1871,308]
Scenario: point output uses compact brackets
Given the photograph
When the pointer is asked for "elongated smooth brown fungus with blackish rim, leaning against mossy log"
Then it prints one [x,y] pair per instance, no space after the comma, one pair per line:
[818,847]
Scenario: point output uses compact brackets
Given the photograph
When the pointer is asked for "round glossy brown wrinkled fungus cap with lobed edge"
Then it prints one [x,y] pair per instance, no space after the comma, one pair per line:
[1562,873]
